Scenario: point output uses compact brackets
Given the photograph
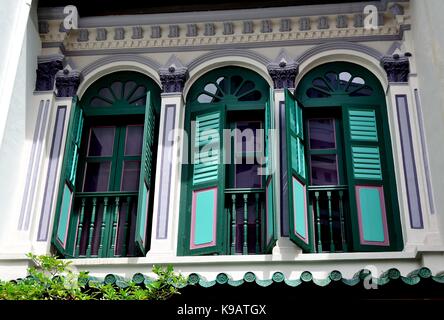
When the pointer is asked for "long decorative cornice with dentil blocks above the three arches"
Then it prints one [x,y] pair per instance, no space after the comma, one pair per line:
[257,31]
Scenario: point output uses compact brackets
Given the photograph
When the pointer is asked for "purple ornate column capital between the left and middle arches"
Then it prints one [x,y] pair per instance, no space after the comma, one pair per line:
[173,76]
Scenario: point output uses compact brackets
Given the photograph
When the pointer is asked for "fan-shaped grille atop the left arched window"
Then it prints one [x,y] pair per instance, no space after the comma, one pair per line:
[120,93]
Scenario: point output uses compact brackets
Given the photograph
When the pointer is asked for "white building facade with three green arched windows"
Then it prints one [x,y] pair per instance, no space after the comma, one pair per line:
[294,142]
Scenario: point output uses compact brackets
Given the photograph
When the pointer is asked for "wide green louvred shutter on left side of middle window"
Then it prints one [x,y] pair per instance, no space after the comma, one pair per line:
[206,226]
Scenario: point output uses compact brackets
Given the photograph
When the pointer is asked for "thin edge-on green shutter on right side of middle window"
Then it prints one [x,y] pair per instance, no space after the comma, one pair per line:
[270,203]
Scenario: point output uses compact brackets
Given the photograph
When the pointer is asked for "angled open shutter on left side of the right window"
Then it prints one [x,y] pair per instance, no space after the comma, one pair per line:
[301,220]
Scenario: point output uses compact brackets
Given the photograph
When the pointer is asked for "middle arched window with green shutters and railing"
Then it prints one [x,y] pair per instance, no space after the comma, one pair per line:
[227,189]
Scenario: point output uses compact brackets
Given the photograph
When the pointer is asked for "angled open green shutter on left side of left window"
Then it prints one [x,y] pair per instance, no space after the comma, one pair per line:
[63,218]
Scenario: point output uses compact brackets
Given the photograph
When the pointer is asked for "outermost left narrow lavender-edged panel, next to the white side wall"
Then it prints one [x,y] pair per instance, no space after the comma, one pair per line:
[34,162]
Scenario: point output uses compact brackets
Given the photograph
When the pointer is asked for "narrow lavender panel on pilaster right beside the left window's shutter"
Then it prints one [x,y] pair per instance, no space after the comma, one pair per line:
[52,174]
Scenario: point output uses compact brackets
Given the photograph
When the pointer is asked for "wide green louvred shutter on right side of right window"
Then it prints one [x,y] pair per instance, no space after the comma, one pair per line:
[370,189]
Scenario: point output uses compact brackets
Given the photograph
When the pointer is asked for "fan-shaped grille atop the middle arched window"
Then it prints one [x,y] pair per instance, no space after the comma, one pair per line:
[234,86]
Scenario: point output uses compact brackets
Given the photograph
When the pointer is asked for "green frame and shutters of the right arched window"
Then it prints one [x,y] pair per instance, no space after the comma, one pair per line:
[372,221]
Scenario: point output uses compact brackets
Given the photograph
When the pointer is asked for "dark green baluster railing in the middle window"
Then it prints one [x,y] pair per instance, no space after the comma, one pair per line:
[245,213]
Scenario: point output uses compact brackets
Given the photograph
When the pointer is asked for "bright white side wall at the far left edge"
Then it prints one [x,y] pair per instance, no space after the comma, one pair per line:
[18,131]
